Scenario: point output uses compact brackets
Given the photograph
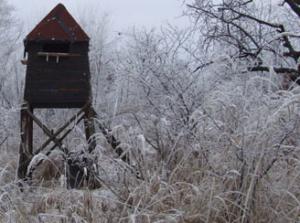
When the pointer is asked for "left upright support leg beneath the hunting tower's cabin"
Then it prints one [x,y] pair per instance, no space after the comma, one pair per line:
[25,151]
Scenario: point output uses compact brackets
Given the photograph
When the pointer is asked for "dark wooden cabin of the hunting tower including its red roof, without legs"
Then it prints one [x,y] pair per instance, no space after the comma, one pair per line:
[58,71]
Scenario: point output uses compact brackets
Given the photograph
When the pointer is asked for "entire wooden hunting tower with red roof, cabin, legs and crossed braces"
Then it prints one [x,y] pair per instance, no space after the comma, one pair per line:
[57,76]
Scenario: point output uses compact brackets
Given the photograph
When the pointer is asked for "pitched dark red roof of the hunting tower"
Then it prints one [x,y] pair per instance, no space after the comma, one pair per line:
[58,25]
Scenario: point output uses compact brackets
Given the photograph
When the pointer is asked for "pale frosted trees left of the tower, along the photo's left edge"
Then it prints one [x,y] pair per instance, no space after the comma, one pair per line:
[10,78]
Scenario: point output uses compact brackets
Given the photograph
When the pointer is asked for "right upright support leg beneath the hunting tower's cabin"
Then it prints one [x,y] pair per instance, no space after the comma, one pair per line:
[90,127]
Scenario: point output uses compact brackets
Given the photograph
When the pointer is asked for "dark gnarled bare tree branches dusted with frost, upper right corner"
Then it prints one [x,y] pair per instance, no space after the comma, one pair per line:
[262,35]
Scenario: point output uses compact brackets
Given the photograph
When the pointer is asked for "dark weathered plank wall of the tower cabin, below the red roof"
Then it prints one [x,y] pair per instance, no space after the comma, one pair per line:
[65,84]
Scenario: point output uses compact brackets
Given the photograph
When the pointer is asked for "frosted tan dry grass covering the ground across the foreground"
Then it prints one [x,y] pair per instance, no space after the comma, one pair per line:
[190,192]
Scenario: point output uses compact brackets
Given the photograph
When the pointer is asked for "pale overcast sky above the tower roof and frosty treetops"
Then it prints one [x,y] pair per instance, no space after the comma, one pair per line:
[122,13]
